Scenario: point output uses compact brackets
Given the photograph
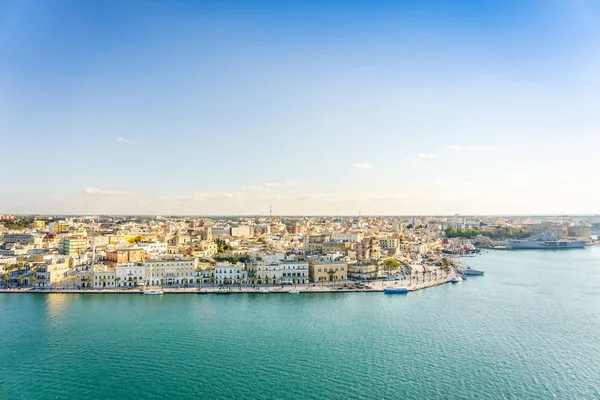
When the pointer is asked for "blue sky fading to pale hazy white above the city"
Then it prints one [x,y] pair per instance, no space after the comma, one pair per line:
[227,107]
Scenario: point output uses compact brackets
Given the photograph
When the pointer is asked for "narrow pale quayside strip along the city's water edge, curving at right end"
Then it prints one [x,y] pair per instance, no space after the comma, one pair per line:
[244,290]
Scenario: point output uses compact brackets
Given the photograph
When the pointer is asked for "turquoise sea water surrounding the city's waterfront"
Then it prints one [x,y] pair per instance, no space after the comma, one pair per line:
[529,329]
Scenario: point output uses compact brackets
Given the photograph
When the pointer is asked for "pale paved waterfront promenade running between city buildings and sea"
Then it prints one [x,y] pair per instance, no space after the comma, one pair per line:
[338,287]
